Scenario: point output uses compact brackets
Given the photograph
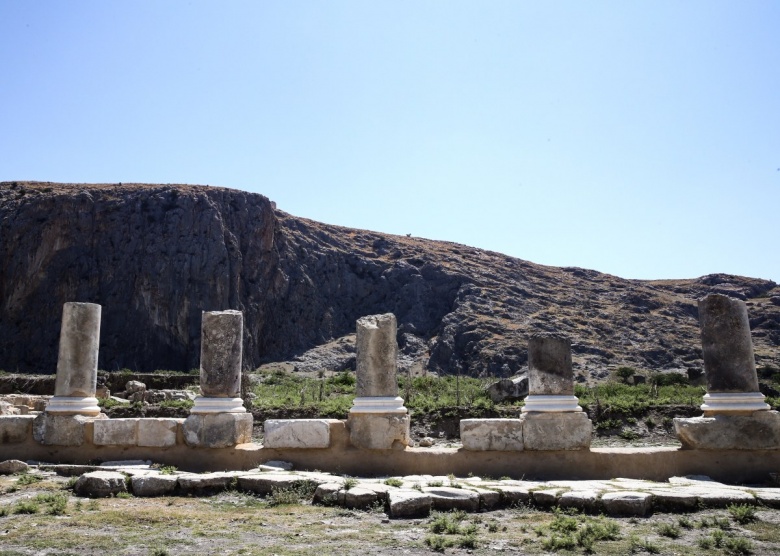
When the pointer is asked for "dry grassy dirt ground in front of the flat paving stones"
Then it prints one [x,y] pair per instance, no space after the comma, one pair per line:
[43,517]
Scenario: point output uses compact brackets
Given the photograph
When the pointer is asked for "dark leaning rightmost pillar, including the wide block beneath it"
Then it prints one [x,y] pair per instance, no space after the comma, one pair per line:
[735,415]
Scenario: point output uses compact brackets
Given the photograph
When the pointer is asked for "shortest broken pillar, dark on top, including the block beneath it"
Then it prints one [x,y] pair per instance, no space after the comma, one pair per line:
[552,417]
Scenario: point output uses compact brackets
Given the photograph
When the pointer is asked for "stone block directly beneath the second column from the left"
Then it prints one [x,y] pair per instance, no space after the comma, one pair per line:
[217,430]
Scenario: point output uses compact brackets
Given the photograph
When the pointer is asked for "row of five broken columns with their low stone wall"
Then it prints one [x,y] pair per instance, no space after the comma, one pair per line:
[737,437]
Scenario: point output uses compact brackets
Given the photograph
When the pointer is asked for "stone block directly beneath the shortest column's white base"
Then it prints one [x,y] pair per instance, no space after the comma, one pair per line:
[556,431]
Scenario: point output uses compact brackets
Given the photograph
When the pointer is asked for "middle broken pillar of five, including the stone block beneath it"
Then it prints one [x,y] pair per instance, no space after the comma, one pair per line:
[378,418]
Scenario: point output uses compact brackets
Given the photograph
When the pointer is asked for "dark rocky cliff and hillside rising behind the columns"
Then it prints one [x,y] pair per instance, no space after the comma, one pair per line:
[156,256]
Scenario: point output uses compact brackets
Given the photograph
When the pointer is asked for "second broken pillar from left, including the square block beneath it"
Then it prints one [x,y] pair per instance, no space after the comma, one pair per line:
[218,418]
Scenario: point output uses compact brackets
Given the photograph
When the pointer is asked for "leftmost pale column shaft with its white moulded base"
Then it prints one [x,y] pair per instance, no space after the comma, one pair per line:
[74,388]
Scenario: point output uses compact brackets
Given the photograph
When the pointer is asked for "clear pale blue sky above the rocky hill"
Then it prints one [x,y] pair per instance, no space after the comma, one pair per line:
[640,139]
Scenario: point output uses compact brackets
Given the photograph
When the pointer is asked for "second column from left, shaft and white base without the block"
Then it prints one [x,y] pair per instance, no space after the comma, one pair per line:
[221,351]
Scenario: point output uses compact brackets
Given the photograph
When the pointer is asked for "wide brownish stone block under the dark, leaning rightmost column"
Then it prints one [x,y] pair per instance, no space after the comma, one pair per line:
[757,431]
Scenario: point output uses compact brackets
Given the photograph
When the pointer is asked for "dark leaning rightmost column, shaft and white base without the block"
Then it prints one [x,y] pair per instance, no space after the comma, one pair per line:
[729,365]
